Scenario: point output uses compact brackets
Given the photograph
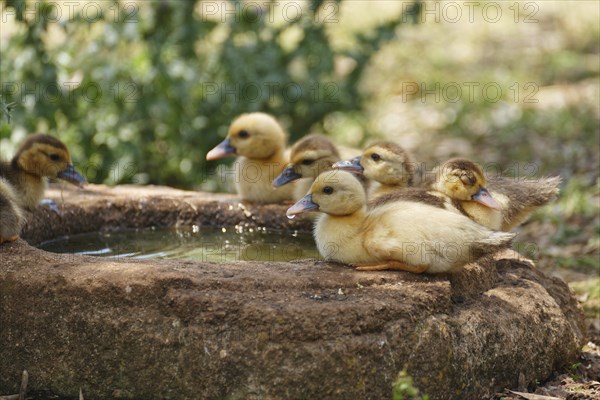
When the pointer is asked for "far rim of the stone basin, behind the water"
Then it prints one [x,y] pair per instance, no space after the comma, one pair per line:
[99,207]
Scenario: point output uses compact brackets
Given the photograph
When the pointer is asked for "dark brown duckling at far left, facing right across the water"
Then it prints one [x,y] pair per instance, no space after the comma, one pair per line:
[41,156]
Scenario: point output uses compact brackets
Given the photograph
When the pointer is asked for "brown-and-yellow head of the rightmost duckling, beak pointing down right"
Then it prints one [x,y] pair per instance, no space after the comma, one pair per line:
[463,180]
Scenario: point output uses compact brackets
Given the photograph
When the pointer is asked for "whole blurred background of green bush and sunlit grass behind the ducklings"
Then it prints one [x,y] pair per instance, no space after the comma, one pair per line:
[141,90]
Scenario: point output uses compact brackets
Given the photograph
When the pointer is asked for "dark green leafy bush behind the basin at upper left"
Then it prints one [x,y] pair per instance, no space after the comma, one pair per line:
[141,91]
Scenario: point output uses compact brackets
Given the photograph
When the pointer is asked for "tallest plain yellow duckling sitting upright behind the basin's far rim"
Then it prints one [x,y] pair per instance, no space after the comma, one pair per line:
[259,142]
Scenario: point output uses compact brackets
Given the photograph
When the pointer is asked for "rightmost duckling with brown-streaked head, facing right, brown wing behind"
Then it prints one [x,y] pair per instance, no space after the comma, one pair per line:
[504,206]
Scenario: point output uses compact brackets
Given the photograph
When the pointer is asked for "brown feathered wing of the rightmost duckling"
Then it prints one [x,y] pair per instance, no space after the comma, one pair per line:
[520,197]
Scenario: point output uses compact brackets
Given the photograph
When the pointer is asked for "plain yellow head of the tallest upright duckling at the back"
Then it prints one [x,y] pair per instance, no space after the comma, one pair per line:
[255,136]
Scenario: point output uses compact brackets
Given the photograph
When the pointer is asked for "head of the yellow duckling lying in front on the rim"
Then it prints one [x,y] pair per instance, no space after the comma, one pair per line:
[333,192]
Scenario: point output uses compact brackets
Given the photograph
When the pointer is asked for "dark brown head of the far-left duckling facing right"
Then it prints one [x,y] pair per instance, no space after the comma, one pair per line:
[45,156]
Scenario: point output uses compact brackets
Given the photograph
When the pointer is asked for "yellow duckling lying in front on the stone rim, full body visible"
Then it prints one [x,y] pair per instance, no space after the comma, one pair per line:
[400,235]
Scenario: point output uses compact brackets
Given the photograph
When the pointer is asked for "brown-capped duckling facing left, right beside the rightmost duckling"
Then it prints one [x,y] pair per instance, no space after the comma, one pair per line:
[386,163]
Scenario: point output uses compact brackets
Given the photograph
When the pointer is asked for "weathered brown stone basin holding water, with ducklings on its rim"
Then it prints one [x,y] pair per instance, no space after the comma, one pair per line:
[139,329]
